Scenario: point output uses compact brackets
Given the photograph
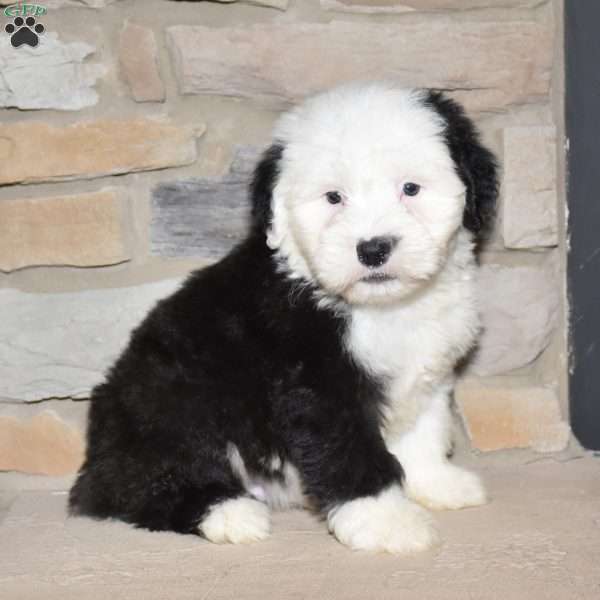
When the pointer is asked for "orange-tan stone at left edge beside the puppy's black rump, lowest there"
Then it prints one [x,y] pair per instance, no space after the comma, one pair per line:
[41,445]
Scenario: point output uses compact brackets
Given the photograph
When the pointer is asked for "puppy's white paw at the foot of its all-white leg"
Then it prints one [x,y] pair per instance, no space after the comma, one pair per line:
[445,487]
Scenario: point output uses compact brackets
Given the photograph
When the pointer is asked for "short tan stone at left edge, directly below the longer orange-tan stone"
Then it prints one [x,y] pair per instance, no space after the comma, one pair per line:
[82,230]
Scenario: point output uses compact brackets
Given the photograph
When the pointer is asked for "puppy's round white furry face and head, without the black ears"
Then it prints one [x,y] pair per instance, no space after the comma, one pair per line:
[368,197]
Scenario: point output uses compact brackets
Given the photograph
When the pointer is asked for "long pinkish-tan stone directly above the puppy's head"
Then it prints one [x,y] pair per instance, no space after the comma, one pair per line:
[486,65]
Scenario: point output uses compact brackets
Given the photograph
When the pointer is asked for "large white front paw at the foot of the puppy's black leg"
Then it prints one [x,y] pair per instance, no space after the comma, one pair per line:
[388,522]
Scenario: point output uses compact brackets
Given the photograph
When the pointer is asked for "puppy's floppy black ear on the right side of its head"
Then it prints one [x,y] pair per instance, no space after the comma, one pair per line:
[475,164]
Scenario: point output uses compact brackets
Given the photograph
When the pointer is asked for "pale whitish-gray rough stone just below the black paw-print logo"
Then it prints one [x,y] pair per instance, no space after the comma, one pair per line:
[53,75]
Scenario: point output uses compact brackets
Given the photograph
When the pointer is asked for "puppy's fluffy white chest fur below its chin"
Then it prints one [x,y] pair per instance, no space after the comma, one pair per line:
[415,344]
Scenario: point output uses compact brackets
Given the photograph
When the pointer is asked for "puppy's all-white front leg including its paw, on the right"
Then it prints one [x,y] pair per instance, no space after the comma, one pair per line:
[431,480]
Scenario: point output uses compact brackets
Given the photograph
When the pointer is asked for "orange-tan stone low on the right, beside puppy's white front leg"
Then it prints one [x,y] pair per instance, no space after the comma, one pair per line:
[511,415]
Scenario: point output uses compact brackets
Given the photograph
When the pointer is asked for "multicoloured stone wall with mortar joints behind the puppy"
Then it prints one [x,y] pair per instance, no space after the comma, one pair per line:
[126,140]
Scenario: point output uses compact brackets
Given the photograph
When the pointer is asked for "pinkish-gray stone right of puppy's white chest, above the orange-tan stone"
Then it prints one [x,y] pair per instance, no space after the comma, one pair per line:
[520,307]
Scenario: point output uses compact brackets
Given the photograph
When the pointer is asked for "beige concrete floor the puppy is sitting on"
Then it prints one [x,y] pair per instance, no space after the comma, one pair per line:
[538,538]
